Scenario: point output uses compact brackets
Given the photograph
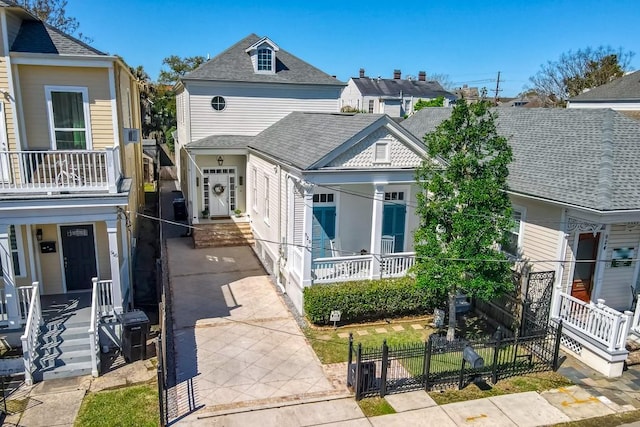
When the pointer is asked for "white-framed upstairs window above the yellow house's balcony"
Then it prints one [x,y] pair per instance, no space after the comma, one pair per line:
[69,117]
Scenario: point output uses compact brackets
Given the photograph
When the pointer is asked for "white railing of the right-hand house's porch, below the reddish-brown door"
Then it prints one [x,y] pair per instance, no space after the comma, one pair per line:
[597,321]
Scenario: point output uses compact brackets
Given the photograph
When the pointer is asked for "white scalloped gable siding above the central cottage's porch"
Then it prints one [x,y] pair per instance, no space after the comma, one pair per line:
[361,155]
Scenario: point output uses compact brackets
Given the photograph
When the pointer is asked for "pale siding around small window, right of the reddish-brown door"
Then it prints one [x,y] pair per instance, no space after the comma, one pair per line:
[616,281]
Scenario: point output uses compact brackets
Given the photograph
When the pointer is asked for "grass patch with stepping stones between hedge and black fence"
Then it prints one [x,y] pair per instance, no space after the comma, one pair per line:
[331,348]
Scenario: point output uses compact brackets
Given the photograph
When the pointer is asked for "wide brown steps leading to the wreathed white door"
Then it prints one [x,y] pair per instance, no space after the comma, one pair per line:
[219,234]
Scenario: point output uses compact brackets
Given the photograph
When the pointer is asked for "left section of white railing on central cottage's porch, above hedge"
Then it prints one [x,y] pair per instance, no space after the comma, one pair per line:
[341,269]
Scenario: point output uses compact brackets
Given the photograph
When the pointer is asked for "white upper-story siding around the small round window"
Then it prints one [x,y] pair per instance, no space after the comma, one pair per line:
[250,108]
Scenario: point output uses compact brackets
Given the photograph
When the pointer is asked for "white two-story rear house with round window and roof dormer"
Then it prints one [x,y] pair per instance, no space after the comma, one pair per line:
[239,93]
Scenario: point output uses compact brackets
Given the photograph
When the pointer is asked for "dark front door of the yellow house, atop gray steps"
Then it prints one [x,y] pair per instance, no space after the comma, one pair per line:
[79,255]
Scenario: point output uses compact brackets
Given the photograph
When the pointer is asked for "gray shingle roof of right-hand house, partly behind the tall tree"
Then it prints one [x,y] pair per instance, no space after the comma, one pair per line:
[584,157]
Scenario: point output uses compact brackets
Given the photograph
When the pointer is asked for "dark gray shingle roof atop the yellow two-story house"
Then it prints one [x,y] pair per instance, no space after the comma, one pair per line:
[38,37]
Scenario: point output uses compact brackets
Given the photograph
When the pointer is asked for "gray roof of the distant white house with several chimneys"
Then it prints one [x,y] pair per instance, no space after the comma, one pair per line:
[393,87]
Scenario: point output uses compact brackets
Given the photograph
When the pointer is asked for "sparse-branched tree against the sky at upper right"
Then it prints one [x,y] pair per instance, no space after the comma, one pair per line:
[573,72]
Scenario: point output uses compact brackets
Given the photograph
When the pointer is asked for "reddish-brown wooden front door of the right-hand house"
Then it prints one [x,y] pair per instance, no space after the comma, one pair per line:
[584,272]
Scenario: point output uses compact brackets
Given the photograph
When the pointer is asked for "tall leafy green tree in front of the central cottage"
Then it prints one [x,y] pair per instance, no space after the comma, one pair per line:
[464,208]
